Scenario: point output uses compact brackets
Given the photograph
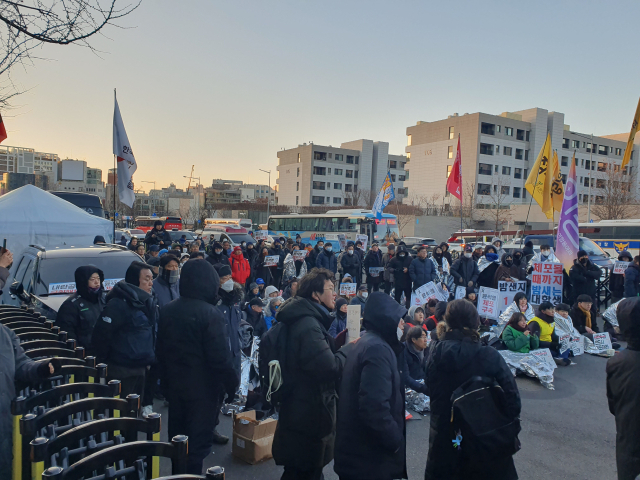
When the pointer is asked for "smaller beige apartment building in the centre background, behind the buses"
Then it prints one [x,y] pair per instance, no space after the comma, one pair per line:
[314,175]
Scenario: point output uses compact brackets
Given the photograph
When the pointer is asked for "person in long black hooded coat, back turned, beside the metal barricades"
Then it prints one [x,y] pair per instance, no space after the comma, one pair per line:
[196,361]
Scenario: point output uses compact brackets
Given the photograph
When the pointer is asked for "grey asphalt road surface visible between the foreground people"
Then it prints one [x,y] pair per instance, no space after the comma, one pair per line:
[567,433]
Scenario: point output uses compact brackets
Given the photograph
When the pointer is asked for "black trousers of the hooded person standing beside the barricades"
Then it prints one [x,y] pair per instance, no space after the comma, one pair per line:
[195,418]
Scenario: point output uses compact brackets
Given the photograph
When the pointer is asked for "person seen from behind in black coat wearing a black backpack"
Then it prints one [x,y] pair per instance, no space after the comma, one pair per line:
[457,358]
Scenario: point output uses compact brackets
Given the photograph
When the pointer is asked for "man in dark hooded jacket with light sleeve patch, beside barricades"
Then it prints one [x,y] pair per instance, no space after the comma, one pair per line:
[124,335]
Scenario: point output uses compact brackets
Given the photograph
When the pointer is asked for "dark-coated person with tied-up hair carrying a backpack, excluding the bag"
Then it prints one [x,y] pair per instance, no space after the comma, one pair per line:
[457,357]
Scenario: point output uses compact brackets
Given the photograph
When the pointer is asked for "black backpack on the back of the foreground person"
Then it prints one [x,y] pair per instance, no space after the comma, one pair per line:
[480,429]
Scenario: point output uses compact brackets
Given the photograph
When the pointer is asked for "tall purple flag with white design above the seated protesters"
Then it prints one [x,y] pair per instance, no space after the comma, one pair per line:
[567,242]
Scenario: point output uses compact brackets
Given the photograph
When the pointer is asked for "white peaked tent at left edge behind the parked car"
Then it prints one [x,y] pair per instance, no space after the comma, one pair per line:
[31,216]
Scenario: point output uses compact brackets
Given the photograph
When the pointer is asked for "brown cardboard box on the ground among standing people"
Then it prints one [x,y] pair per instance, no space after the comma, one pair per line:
[252,439]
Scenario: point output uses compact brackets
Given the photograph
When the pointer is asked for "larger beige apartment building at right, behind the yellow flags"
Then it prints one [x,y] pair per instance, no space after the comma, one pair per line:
[498,152]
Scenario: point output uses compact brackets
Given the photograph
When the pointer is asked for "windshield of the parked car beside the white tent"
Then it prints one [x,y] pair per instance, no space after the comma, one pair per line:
[55,274]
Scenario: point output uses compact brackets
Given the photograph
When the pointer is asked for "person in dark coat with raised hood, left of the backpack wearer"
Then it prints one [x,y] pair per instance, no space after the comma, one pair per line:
[371,433]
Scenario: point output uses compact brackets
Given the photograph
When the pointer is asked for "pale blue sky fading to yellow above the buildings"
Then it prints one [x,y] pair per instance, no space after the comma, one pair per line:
[225,85]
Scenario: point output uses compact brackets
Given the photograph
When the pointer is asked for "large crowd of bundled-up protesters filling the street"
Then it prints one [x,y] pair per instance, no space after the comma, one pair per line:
[178,317]
